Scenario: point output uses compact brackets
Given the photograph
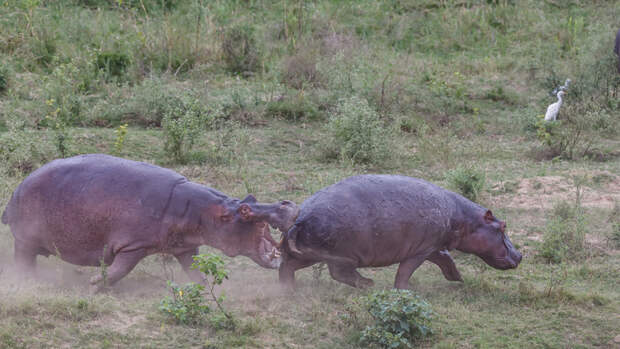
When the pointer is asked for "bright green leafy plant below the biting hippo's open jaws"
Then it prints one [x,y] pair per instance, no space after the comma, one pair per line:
[188,305]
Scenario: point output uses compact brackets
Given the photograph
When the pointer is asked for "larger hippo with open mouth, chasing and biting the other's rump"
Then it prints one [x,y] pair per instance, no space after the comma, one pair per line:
[94,209]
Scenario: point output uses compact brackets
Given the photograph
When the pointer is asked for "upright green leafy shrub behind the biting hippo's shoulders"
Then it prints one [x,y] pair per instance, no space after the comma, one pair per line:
[182,125]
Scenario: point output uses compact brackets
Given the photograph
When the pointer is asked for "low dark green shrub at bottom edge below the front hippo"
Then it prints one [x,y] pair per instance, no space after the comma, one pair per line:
[400,319]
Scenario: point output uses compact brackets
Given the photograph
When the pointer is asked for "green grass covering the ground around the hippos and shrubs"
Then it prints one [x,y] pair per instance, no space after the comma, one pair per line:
[455,85]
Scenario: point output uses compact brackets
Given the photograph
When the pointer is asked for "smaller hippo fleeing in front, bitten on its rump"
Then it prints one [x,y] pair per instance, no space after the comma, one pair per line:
[380,220]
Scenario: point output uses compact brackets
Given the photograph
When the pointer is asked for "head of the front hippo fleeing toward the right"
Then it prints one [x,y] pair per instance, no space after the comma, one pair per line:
[488,240]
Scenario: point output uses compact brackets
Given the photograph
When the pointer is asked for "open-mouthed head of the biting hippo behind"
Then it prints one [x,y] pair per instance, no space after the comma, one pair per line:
[243,229]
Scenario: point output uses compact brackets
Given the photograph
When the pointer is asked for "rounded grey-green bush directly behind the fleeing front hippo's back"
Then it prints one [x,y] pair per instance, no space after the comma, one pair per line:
[356,133]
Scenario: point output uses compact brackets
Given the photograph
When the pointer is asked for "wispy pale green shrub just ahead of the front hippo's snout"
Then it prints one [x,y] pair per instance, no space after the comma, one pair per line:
[564,236]
